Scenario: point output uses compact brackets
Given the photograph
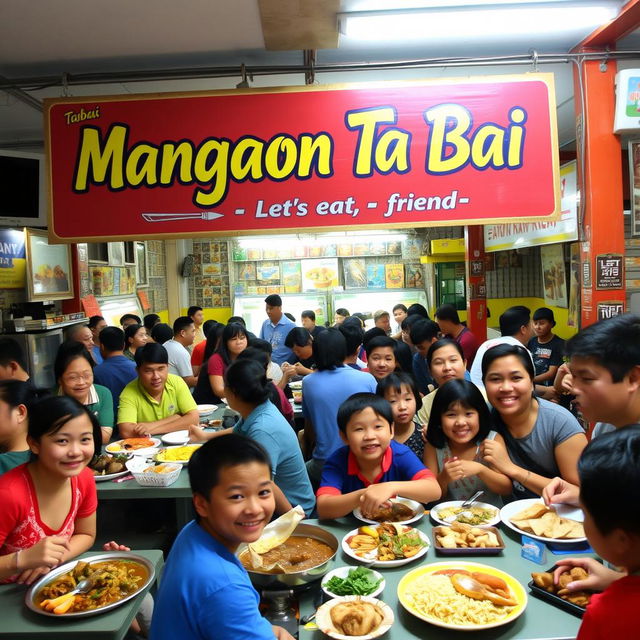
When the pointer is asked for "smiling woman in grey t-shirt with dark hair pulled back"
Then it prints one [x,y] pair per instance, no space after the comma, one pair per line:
[541,439]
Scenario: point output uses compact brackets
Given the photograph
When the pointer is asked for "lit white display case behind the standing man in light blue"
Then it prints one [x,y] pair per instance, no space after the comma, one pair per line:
[252,308]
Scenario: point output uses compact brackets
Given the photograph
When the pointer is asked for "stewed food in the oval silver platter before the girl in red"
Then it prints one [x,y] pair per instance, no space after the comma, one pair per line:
[112,581]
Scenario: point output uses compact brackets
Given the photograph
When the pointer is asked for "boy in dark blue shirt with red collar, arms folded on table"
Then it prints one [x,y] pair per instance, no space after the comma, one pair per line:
[372,467]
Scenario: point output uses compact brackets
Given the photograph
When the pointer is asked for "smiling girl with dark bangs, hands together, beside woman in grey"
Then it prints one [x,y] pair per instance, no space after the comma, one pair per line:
[459,424]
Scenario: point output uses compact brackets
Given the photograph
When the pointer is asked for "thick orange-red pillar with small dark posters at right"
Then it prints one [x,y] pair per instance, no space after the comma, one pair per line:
[600,177]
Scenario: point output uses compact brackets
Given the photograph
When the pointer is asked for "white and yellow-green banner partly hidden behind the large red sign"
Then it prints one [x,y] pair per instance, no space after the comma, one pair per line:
[502,237]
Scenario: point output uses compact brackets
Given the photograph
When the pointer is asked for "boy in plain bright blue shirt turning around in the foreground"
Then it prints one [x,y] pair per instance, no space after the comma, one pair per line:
[206,592]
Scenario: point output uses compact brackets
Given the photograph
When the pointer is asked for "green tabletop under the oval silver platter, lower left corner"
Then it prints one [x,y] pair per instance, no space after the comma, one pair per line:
[20,623]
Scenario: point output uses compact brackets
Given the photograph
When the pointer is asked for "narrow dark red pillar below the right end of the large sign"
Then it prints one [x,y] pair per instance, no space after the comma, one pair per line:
[477,288]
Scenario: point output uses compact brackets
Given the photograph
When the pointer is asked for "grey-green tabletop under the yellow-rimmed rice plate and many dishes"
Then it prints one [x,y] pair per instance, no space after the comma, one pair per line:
[539,621]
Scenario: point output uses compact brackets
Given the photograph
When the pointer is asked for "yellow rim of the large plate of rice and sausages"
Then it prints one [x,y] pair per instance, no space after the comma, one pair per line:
[516,589]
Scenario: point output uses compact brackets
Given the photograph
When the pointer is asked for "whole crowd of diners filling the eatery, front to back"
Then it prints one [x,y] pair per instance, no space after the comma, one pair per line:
[419,409]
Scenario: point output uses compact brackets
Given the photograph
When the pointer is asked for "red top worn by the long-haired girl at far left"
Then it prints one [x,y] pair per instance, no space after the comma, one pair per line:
[20,523]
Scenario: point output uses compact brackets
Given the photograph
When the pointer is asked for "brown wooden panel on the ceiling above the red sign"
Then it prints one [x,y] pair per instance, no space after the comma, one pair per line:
[289,25]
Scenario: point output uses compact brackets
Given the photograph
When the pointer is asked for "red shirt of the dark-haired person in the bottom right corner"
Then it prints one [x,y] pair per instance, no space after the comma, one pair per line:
[612,613]
